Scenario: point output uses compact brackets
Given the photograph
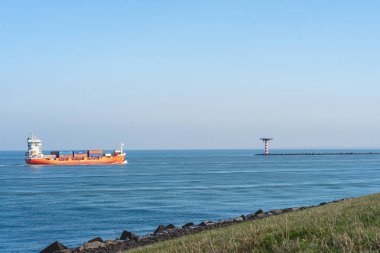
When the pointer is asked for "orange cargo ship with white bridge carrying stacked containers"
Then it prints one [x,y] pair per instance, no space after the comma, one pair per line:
[34,156]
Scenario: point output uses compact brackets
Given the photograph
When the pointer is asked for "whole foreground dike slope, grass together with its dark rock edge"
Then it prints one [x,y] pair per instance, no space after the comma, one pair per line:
[346,225]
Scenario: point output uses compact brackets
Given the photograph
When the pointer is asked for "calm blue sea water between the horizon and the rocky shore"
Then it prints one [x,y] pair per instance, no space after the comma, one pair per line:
[42,204]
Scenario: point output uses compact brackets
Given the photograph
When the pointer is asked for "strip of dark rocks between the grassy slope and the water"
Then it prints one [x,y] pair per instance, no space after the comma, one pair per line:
[128,240]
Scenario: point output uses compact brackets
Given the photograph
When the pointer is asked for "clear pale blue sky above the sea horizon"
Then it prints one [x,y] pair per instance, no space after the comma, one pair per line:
[190,74]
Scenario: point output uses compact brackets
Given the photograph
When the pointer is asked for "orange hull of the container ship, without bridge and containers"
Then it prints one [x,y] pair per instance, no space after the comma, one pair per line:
[119,159]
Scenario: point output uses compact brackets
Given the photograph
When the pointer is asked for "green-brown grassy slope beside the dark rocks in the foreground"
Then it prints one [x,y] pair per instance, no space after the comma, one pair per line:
[349,226]
